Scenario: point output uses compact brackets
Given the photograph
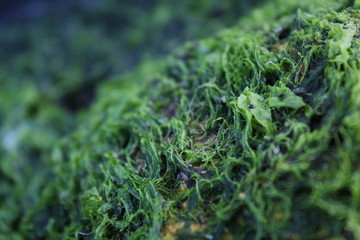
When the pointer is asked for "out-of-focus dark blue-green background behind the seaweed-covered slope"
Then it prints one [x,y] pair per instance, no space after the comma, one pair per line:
[54,54]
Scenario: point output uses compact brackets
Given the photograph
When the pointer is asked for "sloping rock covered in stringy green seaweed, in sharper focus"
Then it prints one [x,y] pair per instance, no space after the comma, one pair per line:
[209,167]
